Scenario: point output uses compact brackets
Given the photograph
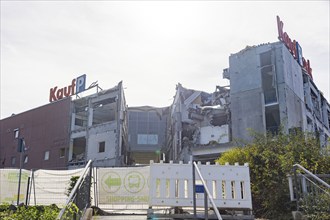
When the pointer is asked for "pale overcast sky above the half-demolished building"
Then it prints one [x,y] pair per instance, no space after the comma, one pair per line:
[149,45]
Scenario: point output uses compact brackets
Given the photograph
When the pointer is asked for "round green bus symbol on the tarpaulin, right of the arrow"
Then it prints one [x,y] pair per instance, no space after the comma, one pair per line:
[134,182]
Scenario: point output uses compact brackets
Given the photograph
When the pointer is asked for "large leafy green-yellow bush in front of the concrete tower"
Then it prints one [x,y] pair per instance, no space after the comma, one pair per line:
[270,160]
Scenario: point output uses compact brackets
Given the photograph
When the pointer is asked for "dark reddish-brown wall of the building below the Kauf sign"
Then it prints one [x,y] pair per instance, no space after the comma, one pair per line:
[45,131]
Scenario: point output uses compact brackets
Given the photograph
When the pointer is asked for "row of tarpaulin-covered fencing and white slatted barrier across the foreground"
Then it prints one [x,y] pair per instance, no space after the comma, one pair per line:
[159,184]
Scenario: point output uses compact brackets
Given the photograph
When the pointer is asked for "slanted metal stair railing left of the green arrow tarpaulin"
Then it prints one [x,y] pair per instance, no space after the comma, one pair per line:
[80,197]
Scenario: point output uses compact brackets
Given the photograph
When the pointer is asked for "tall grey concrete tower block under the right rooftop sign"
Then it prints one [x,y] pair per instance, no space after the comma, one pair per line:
[269,90]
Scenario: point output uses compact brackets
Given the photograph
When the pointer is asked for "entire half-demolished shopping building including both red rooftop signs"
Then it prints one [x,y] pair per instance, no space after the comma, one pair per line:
[271,89]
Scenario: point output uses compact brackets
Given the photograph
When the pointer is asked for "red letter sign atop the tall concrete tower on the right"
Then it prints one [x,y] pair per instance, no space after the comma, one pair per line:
[294,47]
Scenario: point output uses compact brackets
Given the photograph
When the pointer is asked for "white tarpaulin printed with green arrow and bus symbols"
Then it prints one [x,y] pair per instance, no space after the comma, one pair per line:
[123,185]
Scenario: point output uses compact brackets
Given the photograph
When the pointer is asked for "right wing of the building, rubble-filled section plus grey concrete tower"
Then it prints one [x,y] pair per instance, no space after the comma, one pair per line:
[269,90]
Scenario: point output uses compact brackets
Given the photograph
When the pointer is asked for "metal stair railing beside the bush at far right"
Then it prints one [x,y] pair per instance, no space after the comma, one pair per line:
[308,183]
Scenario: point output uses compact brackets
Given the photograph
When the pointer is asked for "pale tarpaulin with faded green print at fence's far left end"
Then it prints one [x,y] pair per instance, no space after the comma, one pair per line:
[9,185]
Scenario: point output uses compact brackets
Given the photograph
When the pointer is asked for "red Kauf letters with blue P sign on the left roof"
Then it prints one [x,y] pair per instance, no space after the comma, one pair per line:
[77,85]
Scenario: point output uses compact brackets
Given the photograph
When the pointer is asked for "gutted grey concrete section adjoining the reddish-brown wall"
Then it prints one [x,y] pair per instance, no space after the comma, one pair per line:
[99,129]
